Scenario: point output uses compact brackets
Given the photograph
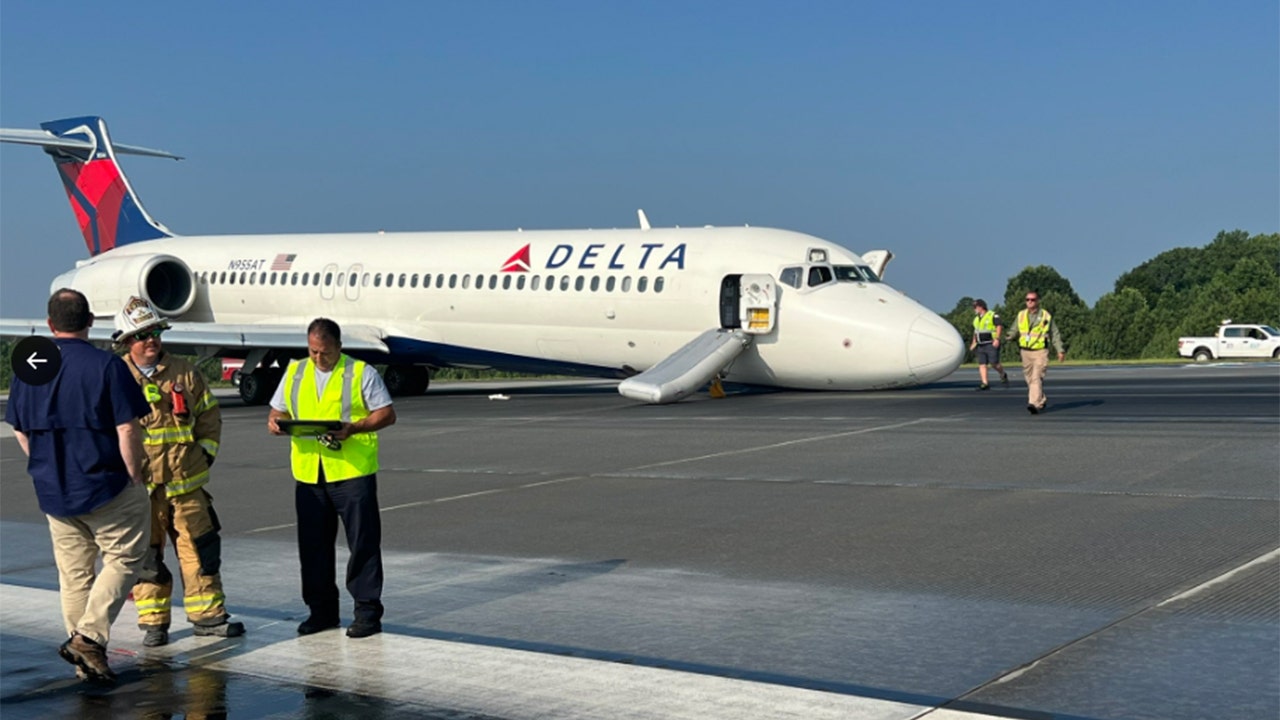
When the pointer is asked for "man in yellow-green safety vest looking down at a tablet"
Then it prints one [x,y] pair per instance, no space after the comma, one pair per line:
[336,477]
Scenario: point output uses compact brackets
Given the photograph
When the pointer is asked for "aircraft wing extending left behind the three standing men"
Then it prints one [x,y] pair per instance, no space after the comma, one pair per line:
[211,340]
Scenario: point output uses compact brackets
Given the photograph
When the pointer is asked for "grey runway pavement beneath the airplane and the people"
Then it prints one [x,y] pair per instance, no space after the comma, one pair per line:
[566,553]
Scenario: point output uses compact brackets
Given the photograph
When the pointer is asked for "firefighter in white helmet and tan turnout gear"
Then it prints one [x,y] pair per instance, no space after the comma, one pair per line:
[181,439]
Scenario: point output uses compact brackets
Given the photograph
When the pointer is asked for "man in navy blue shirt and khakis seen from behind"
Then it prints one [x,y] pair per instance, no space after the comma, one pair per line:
[84,443]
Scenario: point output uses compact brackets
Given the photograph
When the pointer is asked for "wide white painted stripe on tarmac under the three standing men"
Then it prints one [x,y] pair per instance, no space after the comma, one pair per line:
[459,677]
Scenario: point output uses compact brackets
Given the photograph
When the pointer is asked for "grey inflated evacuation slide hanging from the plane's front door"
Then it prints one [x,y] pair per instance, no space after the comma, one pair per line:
[687,370]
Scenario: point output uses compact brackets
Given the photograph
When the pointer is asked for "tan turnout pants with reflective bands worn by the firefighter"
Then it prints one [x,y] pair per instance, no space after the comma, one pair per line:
[190,522]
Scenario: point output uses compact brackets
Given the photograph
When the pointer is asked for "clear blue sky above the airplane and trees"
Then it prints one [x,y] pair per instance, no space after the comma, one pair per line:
[971,139]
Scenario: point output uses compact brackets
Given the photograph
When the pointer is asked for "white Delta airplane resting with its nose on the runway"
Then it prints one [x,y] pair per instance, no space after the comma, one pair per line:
[668,309]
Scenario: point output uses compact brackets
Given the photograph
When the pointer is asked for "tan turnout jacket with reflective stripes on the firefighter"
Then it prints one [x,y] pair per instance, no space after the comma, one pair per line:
[177,445]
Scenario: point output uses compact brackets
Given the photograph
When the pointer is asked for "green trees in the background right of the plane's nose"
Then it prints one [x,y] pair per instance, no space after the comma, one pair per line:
[1187,291]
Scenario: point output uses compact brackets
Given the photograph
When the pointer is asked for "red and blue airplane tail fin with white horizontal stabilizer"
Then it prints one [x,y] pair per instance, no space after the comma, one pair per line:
[108,211]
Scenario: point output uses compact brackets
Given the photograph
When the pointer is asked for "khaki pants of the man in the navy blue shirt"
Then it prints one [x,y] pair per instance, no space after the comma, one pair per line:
[118,532]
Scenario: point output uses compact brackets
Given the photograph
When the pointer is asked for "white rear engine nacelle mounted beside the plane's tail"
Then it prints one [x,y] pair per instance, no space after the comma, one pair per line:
[108,282]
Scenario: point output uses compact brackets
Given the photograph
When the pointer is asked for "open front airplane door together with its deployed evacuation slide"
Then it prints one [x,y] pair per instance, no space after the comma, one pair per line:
[748,307]
